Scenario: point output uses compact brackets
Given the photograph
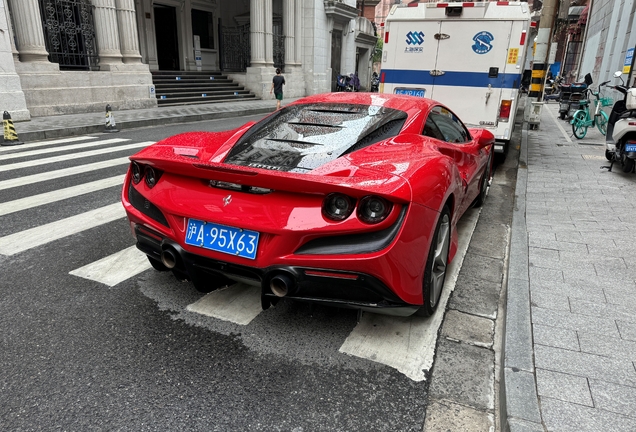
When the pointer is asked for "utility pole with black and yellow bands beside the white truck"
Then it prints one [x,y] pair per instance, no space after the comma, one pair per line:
[544,37]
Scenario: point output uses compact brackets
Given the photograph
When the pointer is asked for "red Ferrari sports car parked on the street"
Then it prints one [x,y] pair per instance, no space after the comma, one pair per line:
[344,199]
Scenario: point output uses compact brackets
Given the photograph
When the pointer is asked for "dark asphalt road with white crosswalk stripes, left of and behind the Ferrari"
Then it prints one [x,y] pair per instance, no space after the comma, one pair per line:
[78,354]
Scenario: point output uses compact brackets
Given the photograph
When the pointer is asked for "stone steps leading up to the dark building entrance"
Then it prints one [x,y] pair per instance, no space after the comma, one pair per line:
[187,87]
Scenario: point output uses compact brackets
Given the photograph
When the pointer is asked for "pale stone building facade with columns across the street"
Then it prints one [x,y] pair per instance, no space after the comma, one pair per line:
[70,56]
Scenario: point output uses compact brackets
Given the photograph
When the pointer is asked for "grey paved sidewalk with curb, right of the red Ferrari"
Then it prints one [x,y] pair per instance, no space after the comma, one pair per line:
[570,344]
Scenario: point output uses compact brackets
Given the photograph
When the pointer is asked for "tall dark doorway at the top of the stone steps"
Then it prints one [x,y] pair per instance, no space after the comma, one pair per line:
[167,39]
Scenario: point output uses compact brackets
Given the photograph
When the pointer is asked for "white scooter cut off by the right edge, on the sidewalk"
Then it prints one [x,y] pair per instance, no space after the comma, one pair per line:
[620,140]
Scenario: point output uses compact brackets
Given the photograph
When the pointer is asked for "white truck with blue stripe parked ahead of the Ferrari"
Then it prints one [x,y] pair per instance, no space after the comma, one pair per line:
[468,56]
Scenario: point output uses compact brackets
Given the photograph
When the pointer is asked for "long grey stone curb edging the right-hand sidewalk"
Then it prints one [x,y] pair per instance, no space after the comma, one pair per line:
[518,387]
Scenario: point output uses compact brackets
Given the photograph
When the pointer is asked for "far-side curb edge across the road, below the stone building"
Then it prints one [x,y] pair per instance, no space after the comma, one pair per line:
[60,132]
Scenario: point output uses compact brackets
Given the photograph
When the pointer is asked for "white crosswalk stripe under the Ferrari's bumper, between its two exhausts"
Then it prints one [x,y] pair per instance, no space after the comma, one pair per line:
[239,303]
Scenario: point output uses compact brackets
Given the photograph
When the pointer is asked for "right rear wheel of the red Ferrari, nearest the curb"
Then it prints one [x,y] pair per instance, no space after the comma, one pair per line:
[436,265]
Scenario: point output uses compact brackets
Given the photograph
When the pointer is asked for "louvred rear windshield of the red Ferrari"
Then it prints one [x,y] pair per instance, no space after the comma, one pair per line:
[301,138]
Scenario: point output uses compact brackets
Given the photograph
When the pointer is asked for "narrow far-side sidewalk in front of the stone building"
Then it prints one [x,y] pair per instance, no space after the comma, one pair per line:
[39,128]
